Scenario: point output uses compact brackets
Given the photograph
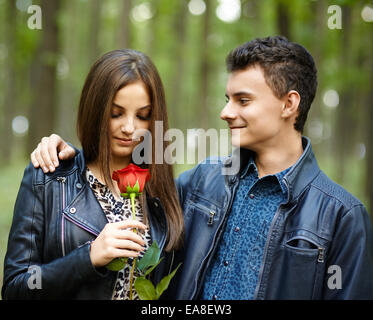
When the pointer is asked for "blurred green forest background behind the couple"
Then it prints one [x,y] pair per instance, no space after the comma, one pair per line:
[43,65]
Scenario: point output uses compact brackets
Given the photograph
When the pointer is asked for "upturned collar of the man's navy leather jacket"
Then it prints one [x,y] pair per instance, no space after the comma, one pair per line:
[296,180]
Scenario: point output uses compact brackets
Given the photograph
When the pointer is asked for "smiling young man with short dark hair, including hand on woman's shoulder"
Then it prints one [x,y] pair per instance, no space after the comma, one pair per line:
[280,228]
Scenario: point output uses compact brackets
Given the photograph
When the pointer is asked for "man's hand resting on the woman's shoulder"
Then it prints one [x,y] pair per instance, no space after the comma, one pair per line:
[45,155]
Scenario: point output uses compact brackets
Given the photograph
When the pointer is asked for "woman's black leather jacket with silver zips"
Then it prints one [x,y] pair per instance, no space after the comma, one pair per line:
[56,216]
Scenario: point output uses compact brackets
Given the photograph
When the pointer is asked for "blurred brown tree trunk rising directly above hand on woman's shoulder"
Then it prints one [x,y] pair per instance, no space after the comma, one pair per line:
[43,77]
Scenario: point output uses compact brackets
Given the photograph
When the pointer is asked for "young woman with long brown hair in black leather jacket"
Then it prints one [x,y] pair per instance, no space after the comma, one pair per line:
[70,223]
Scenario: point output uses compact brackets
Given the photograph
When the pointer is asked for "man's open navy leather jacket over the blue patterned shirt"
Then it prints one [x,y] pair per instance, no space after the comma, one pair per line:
[319,229]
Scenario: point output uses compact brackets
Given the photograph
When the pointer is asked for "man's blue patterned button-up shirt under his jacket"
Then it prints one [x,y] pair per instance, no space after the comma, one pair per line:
[234,270]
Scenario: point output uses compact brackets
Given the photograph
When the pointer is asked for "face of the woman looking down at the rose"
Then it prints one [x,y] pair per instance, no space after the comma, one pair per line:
[131,111]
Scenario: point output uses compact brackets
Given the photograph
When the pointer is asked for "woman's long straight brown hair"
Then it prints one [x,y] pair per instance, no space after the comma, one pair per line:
[110,73]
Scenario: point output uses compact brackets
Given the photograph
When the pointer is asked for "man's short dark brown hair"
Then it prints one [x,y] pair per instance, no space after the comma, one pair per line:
[286,66]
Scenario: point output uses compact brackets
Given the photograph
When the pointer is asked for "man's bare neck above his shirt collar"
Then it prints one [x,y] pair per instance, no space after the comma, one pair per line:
[279,157]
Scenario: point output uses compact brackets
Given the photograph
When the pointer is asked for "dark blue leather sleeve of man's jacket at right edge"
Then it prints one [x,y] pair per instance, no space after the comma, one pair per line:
[350,263]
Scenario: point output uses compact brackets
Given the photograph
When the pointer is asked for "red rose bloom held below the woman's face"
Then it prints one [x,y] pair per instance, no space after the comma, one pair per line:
[131,179]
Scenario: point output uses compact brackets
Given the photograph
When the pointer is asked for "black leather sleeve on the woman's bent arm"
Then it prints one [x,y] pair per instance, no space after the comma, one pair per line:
[26,276]
